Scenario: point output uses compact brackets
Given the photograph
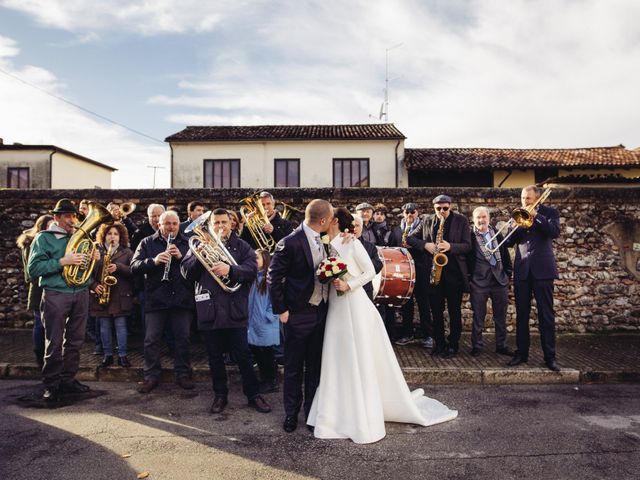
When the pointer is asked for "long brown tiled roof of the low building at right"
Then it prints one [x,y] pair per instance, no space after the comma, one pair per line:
[498,158]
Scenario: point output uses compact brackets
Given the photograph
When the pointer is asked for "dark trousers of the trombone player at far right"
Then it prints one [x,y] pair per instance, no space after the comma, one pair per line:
[542,290]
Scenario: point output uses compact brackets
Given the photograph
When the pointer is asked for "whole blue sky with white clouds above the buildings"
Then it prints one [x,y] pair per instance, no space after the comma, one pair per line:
[490,73]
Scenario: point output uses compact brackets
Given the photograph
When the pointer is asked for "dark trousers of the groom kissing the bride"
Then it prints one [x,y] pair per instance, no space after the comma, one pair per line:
[303,337]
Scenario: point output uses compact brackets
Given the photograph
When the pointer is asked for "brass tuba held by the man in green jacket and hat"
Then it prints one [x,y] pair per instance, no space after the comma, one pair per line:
[81,242]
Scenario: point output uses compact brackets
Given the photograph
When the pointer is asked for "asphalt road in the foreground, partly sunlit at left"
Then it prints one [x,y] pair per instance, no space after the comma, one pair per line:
[502,432]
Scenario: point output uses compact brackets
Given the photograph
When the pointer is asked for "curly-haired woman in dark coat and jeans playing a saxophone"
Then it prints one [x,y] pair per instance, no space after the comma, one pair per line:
[117,304]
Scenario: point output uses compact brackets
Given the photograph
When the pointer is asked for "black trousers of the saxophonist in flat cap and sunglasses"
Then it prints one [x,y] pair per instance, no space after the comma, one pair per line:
[451,296]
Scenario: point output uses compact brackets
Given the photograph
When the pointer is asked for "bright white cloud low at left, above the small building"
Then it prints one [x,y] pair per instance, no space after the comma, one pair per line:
[31,116]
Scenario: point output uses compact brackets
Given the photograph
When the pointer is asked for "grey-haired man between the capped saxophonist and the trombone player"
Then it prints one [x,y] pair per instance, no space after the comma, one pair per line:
[489,273]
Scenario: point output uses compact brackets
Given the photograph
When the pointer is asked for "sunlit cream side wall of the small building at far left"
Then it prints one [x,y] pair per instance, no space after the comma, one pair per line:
[71,172]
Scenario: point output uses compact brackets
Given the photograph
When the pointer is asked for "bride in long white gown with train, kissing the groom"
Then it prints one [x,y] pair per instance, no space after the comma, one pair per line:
[361,384]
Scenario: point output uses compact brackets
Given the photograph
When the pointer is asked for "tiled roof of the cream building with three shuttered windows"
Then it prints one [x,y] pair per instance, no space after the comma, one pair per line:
[377,131]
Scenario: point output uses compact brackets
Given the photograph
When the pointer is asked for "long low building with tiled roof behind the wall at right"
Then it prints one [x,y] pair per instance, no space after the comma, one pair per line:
[516,168]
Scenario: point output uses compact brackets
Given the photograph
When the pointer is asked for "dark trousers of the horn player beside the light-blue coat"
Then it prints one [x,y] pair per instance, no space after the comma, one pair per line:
[233,340]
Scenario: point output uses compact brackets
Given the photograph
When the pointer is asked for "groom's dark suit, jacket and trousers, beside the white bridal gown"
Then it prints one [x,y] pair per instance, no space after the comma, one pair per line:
[291,279]
